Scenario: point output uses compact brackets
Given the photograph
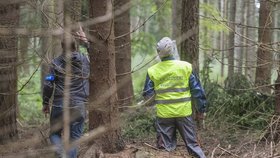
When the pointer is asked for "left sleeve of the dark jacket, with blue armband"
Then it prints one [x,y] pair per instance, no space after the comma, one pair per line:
[48,86]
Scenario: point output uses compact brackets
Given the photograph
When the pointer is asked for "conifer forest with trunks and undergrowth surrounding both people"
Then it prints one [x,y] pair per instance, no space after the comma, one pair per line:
[233,46]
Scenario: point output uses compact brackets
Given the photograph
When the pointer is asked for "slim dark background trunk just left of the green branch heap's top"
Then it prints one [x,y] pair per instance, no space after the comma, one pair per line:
[232,10]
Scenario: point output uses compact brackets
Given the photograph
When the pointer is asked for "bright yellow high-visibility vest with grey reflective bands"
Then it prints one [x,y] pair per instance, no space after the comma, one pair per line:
[171,85]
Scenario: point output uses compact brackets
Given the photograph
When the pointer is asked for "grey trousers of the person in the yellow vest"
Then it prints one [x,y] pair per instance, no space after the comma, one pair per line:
[166,134]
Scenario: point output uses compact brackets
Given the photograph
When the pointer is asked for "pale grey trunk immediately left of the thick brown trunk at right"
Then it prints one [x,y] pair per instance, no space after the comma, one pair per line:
[251,33]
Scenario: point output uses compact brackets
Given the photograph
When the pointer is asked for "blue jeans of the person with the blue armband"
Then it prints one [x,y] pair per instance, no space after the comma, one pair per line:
[76,129]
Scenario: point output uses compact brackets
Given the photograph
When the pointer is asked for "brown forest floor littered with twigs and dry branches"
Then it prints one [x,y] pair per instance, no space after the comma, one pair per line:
[33,142]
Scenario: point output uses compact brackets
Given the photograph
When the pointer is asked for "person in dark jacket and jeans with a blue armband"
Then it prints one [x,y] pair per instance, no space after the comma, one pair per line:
[53,93]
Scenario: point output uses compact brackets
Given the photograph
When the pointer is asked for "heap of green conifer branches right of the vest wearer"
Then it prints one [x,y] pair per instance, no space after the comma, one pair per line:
[239,104]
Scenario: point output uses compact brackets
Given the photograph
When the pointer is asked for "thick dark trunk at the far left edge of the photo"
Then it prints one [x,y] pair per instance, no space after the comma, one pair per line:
[9,15]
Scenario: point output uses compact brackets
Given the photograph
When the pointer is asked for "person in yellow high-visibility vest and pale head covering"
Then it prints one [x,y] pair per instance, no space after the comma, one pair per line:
[173,85]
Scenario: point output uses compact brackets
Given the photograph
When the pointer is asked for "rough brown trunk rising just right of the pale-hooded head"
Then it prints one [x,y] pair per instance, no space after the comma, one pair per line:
[190,33]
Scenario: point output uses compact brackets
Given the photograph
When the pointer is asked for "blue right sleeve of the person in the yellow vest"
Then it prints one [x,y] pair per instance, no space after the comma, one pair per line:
[197,92]
